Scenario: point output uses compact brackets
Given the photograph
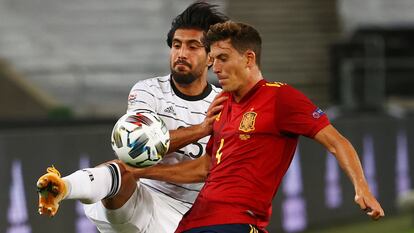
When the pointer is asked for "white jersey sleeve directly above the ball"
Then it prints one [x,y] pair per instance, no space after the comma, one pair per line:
[141,99]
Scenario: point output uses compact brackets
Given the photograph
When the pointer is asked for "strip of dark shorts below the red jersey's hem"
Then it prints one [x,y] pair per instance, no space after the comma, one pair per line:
[226,228]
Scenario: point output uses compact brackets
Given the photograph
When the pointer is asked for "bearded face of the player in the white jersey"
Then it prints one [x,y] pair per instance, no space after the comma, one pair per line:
[188,57]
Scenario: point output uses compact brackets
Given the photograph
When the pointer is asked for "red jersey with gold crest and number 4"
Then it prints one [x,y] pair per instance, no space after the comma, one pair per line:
[251,148]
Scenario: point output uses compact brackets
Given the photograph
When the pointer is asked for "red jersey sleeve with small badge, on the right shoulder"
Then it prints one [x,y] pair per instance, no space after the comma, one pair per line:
[298,115]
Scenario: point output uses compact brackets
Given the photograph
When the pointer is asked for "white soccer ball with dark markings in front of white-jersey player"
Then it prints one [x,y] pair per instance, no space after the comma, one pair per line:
[140,139]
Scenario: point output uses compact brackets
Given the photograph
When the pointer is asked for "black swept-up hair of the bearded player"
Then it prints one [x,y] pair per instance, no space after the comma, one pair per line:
[199,15]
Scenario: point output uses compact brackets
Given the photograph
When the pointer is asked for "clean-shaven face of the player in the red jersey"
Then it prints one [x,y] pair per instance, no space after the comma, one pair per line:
[229,66]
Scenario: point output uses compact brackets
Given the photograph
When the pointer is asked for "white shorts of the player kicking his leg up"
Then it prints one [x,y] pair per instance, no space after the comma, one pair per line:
[146,210]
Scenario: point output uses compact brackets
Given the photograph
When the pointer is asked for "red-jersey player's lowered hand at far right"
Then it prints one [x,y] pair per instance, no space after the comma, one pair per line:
[368,203]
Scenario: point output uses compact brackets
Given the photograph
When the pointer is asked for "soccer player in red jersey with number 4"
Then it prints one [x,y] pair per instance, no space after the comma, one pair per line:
[253,142]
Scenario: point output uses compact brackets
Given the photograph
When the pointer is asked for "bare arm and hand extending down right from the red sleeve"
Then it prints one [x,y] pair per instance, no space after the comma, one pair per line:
[348,160]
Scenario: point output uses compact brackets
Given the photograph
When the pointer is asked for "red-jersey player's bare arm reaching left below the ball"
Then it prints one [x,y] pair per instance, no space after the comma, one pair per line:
[191,171]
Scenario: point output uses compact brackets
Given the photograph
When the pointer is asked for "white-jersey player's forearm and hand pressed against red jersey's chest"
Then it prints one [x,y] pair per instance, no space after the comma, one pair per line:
[186,135]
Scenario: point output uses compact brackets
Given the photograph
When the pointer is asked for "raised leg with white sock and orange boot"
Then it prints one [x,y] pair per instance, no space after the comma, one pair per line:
[109,182]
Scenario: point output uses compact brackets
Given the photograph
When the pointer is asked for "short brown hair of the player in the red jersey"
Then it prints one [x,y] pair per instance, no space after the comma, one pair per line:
[242,37]
